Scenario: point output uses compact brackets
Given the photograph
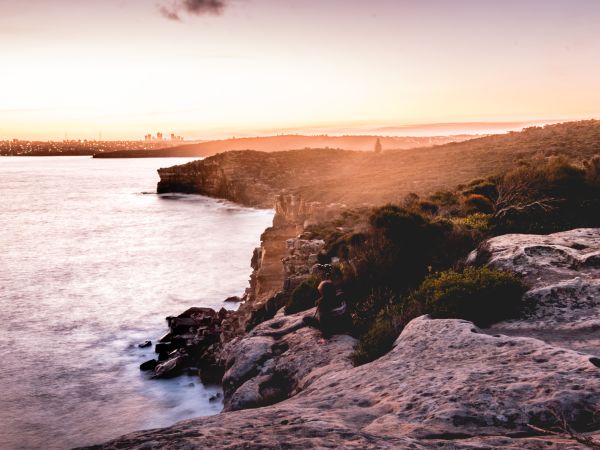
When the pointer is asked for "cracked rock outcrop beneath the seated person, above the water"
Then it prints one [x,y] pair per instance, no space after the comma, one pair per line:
[278,359]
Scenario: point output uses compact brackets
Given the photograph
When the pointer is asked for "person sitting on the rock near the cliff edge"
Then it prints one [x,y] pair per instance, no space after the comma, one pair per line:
[332,315]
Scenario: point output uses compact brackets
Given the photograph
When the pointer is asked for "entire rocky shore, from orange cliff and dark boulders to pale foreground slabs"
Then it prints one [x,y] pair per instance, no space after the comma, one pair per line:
[445,383]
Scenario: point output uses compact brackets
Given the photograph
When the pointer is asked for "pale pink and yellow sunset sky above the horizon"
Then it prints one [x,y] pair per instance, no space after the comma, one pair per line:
[220,68]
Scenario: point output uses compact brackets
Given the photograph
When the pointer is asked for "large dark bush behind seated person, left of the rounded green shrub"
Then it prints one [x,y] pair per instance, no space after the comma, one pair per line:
[401,248]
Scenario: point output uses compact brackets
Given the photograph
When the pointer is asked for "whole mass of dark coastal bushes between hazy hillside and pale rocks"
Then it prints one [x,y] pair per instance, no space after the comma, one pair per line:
[402,260]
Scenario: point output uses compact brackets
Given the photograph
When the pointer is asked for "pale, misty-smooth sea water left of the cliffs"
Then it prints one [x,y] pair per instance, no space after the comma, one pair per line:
[91,262]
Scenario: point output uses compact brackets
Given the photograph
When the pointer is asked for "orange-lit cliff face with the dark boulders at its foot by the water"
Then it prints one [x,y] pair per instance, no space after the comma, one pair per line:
[199,340]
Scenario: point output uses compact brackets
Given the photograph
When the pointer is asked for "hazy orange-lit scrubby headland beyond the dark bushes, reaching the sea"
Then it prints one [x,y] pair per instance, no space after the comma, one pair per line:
[364,177]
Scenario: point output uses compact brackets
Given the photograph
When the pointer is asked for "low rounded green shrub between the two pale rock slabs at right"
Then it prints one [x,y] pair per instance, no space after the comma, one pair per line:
[481,295]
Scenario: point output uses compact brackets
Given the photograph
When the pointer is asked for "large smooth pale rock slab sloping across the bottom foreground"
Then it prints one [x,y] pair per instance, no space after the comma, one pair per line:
[444,385]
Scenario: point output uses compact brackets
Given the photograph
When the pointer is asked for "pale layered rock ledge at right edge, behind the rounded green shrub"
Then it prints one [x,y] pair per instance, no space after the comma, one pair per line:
[563,270]
